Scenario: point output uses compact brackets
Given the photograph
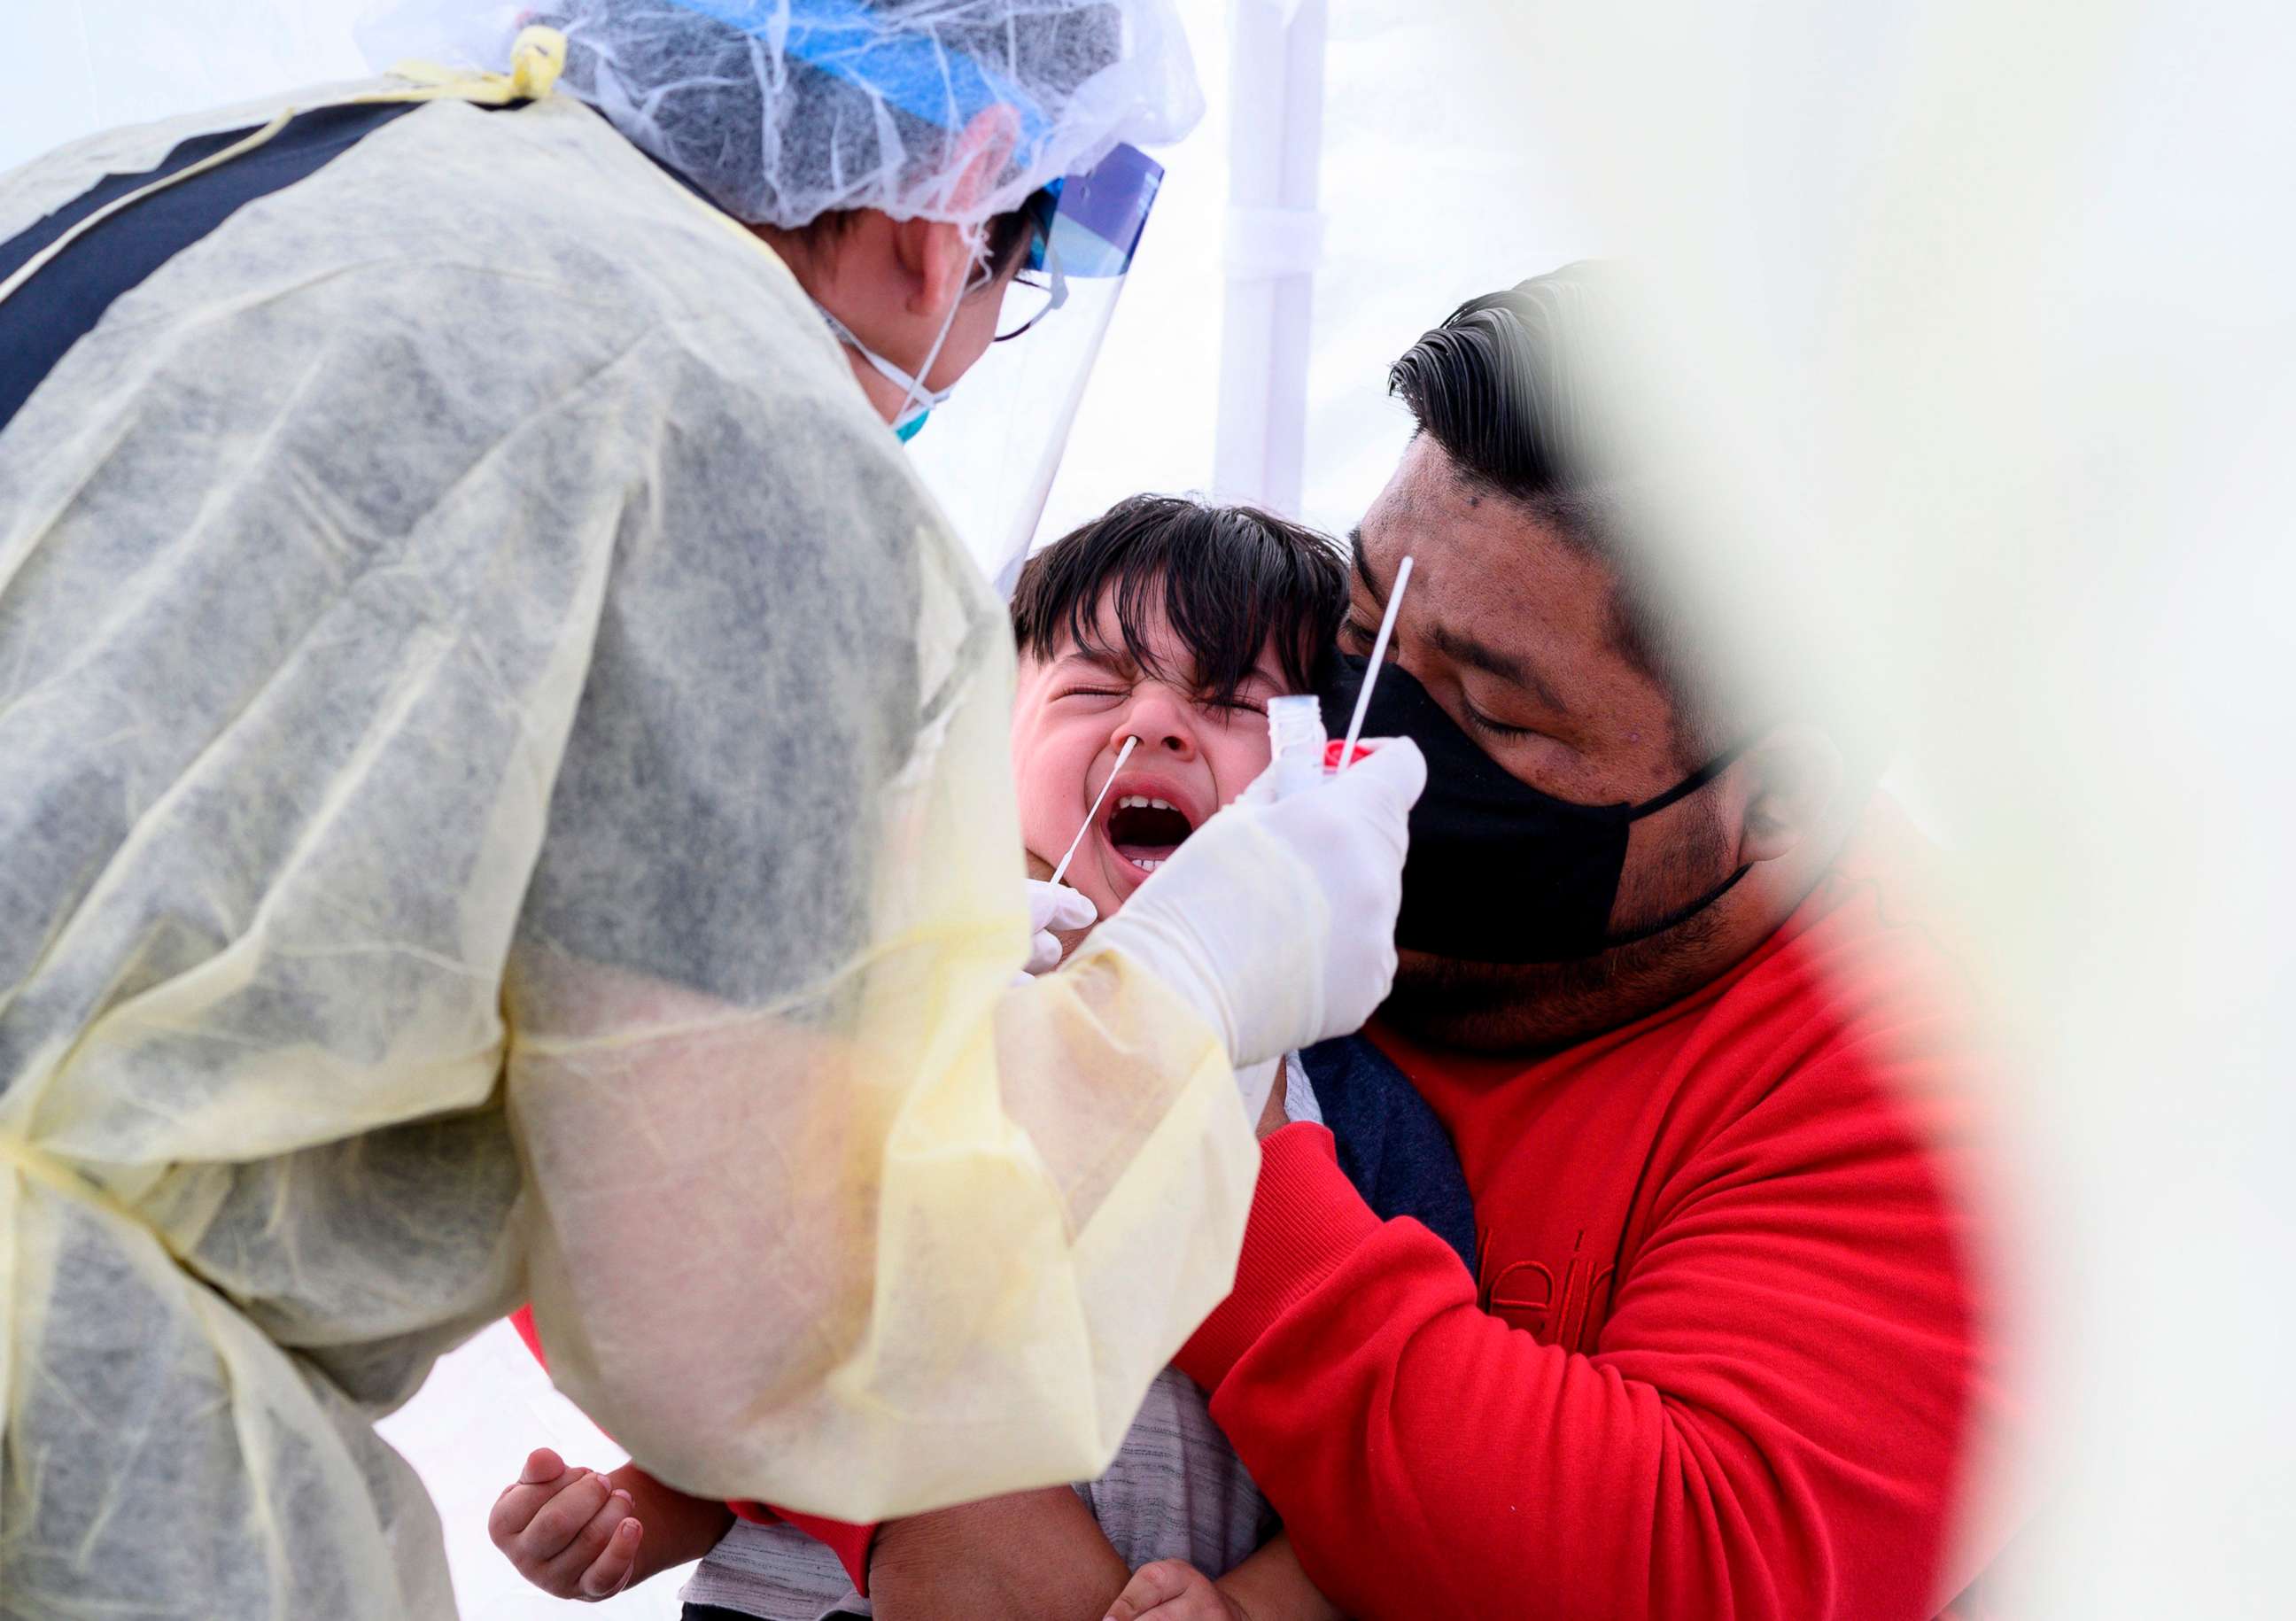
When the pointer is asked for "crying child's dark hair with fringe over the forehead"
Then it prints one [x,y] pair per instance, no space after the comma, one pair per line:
[1232,582]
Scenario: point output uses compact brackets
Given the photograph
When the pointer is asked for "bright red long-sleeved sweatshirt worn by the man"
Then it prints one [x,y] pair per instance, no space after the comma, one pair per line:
[1723,1349]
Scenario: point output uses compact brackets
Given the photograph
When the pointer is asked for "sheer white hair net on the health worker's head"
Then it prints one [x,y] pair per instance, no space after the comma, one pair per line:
[791,109]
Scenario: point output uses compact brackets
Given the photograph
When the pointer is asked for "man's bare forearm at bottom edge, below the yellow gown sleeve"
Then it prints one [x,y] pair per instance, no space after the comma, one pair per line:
[1023,1556]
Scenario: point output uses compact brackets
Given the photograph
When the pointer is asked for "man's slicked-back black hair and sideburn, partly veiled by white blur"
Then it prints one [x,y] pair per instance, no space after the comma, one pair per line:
[1528,396]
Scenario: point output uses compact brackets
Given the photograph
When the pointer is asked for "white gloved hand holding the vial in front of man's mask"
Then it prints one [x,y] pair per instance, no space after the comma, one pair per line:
[1278,920]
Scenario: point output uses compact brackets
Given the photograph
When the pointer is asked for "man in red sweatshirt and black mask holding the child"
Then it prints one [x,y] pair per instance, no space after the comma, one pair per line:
[1723,1344]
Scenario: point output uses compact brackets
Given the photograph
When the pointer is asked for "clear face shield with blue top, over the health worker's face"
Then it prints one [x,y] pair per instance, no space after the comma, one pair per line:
[995,447]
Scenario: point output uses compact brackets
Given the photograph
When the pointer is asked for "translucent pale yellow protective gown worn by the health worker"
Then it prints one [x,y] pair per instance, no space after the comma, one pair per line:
[504,796]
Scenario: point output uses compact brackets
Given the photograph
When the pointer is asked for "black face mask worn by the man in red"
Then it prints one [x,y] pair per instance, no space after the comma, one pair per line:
[1500,871]
